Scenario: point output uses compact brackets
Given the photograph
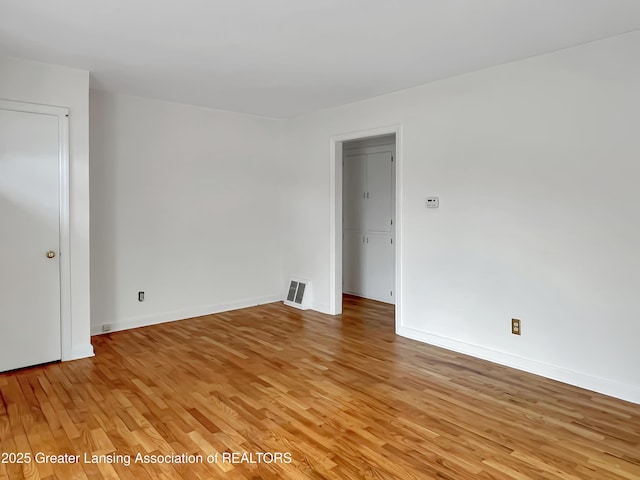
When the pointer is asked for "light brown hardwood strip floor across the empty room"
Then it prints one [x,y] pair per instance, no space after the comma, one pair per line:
[345,396]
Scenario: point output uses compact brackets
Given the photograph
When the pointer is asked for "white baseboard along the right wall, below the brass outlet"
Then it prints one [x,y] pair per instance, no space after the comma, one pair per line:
[605,386]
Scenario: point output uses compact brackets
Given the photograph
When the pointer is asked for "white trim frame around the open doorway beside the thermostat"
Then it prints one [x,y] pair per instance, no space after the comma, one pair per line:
[335,228]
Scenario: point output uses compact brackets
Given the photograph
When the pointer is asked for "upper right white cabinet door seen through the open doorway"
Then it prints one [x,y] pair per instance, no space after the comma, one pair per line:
[379,192]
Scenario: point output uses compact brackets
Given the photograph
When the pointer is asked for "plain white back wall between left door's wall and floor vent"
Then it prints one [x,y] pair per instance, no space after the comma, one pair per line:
[185,207]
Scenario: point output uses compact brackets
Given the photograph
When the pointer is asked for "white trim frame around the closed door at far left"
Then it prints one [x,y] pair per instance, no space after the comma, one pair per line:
[64,256]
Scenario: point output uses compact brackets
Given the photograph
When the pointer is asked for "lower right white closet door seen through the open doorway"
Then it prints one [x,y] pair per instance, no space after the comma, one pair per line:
[380,268]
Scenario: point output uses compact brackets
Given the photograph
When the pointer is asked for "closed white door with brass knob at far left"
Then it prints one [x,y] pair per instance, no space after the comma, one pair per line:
[29,223]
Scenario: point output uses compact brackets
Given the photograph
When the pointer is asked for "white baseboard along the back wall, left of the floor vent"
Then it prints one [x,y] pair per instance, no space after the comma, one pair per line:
[163,317]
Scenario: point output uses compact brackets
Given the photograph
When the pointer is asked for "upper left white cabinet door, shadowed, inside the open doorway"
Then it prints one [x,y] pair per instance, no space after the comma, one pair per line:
[353,191]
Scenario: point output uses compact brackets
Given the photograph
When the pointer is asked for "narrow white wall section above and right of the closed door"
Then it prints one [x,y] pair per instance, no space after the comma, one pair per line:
[33,82]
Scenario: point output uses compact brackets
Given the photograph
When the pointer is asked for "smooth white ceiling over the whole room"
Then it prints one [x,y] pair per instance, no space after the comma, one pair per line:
[282,58]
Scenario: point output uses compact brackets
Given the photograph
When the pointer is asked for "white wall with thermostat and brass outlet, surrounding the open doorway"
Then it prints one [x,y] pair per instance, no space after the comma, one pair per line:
[536,166]
